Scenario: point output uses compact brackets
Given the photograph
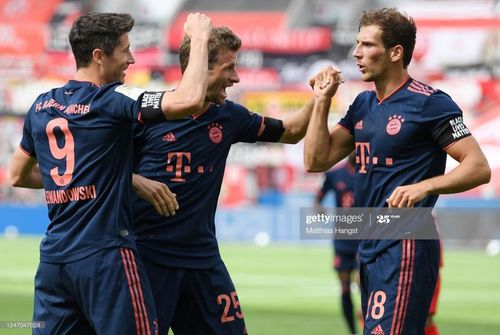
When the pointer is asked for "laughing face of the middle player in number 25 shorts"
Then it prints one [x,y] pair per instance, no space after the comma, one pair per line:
[223,74]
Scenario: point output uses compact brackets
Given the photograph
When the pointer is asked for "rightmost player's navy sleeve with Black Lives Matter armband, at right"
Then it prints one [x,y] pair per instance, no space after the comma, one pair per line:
[443,118]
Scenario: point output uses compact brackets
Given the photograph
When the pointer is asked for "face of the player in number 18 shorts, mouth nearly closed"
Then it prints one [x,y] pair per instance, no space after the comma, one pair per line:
[372,58]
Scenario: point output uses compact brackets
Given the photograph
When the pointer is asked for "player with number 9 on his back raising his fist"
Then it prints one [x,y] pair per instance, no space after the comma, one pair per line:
[77,145]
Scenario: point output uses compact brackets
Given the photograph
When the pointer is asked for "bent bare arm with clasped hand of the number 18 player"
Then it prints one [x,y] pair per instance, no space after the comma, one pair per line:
[322,148]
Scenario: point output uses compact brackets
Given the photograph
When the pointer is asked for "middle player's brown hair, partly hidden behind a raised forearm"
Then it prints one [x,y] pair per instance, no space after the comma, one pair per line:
[221,38]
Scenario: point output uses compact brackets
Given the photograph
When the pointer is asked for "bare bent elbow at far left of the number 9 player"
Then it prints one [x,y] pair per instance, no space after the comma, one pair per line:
[24,171]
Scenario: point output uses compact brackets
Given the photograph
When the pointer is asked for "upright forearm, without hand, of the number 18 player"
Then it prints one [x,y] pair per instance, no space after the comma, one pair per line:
[317,142]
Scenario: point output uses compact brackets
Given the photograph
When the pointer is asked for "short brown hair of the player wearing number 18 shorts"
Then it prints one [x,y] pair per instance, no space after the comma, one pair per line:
[397,29]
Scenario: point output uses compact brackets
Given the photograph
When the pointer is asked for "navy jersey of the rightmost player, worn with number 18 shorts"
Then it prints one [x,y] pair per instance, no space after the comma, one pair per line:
[400,141]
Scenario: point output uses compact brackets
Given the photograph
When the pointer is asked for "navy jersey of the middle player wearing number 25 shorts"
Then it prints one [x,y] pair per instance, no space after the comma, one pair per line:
[189,156]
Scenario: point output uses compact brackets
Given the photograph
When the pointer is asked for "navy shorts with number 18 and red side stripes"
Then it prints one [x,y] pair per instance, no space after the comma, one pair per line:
[397,288]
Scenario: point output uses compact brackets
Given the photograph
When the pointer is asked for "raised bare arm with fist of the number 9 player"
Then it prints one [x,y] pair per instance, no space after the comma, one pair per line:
[189,96]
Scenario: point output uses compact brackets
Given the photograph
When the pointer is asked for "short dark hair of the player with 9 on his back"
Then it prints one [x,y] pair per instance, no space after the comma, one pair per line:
[97,31]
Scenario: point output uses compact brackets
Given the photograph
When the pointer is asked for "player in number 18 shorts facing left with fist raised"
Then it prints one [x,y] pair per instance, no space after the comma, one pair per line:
[402,132]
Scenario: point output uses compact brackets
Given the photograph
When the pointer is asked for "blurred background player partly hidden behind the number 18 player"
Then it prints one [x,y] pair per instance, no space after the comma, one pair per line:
[341,182]
